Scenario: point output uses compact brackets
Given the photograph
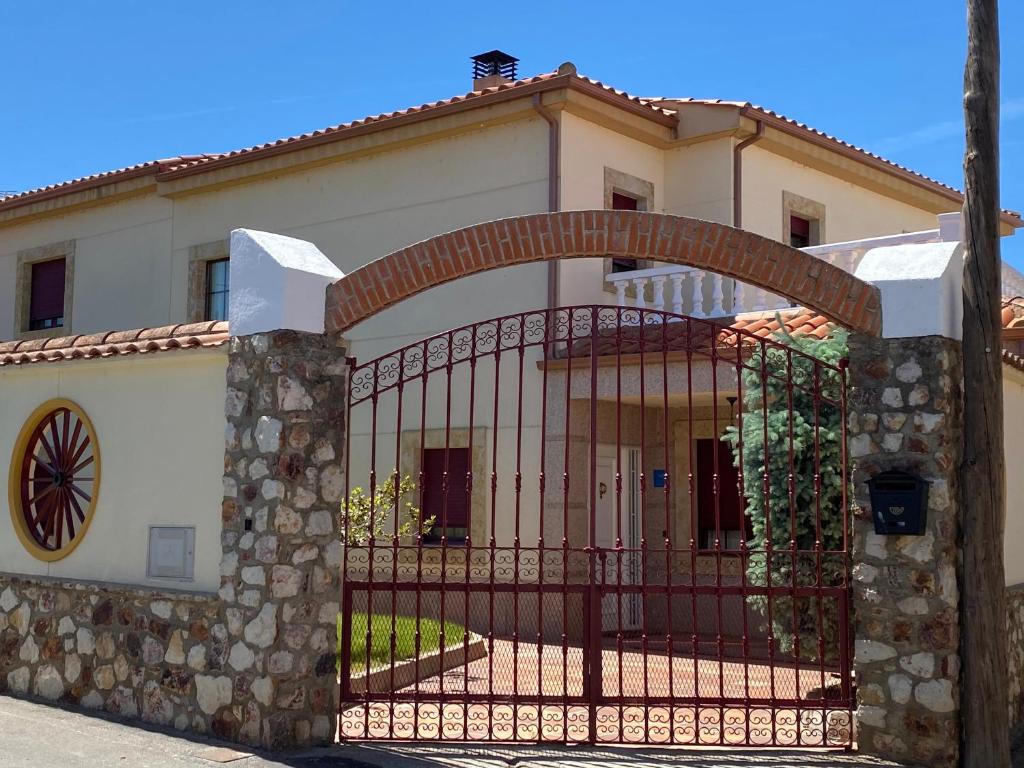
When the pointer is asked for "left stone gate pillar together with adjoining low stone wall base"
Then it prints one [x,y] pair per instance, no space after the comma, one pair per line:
[257,663]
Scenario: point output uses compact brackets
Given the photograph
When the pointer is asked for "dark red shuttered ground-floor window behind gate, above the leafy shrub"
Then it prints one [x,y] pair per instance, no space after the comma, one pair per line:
[451,510]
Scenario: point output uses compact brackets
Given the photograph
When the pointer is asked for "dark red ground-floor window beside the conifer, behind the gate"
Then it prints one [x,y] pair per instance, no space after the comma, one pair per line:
[732,521]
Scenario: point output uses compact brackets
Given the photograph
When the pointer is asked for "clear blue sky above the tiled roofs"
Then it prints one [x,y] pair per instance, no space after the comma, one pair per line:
[92,87]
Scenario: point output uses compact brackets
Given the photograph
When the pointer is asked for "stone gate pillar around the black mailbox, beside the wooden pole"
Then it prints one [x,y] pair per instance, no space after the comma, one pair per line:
[906,404]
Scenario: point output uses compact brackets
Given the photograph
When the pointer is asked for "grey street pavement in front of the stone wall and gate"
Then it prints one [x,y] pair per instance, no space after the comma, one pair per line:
[34,736]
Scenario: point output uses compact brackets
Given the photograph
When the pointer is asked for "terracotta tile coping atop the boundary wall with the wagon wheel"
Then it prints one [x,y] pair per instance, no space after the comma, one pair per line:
[115,344]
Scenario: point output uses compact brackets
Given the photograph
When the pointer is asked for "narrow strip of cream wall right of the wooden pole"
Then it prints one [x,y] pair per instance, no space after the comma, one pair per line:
[1013,432]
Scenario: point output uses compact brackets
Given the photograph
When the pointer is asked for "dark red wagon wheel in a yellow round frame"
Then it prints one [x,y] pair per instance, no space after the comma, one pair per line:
[55,480]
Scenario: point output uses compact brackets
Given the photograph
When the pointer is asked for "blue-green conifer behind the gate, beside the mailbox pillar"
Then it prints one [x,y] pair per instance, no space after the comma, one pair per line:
[787,401]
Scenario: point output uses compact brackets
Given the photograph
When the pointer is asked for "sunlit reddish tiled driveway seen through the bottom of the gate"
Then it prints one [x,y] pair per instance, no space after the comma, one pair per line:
[526,671]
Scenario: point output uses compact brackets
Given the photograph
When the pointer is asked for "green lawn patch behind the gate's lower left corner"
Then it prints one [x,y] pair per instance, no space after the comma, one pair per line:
[381,628]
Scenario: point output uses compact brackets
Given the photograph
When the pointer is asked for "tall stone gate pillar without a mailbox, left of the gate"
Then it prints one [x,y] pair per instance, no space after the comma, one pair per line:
[281,538]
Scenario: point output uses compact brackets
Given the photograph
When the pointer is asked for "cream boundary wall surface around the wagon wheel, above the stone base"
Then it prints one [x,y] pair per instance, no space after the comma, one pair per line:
[160,425]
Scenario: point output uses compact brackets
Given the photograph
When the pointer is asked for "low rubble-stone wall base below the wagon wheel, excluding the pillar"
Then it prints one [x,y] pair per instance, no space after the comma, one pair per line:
[137,653]
